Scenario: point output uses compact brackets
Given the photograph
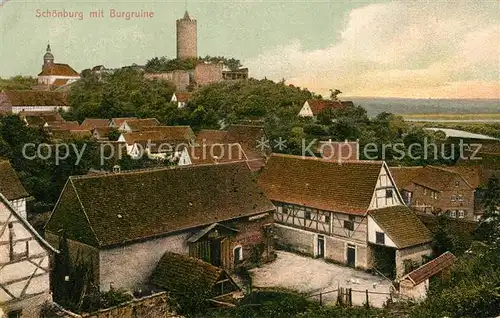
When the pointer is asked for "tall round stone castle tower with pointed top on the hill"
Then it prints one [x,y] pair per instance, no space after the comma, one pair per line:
[186,37]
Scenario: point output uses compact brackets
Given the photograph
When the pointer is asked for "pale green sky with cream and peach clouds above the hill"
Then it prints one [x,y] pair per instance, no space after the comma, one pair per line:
[407,49]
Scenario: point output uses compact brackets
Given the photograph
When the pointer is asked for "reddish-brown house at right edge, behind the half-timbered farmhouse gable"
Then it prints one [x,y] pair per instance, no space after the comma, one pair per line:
[456,191]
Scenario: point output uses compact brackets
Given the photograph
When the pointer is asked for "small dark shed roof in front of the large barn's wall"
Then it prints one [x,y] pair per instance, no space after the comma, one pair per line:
[180,274]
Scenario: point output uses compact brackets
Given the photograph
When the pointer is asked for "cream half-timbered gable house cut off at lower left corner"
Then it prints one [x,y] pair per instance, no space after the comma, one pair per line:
[24,265]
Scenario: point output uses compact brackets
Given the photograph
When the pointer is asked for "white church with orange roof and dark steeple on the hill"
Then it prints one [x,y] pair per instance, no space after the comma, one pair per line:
[56,74]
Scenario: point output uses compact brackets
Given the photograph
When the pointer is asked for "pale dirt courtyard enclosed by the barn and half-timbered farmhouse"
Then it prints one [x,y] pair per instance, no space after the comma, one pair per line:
[312,276]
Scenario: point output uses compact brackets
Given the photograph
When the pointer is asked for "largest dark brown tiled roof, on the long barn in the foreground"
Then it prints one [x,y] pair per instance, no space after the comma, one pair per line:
[115,209]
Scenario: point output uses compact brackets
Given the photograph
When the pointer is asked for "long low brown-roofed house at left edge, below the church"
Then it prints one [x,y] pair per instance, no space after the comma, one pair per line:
[16,101]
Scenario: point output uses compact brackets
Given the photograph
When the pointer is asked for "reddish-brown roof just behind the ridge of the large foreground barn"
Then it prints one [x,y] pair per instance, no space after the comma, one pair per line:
[216,154]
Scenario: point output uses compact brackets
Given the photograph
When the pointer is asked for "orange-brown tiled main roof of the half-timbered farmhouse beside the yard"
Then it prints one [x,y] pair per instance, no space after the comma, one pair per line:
[320,184]
